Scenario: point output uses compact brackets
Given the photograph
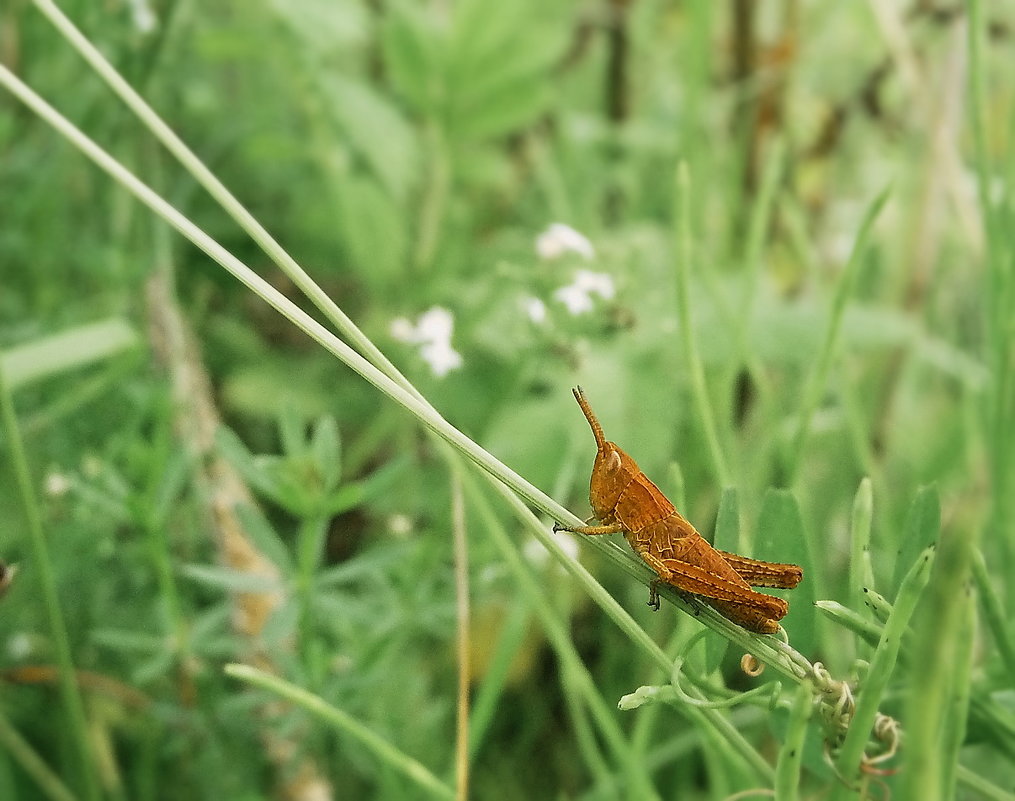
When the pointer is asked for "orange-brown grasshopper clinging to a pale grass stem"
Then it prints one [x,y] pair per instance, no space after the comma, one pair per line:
[624,500]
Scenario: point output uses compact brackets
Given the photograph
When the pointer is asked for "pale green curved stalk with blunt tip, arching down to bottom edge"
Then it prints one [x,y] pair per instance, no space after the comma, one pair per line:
[347,724]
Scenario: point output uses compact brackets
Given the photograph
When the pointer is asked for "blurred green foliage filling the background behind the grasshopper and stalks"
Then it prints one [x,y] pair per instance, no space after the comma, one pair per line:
[411,155]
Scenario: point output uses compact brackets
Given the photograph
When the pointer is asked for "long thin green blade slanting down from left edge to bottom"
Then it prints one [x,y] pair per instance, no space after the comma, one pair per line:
[71,695]
